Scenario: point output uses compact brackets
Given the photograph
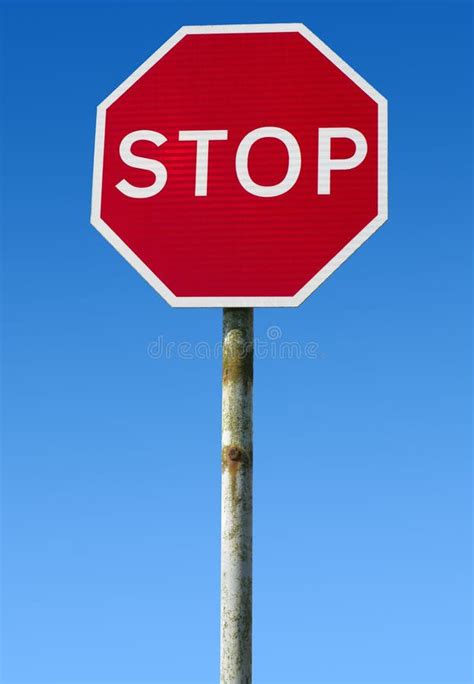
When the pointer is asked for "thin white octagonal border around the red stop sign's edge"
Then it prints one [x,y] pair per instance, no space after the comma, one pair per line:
[331,266]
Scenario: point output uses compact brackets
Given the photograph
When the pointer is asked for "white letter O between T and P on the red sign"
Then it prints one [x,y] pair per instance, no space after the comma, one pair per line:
[294,161]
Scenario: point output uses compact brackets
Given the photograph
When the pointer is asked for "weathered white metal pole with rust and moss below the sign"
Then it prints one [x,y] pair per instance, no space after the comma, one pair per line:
[236,532]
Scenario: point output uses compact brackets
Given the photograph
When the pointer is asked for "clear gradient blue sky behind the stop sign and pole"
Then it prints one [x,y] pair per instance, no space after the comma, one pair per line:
[111,463]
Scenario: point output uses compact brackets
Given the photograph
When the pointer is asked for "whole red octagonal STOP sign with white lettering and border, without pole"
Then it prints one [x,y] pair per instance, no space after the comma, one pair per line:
[240,165]
